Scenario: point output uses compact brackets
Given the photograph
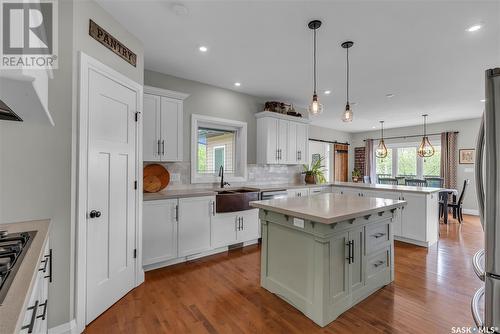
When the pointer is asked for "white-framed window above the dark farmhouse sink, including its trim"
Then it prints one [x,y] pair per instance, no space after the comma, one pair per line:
[218,142]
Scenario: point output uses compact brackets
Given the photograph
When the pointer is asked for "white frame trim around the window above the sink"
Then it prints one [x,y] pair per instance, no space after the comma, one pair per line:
[240,148]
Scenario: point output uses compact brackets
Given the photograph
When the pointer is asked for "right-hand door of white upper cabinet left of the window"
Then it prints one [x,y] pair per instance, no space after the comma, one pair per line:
[171,129]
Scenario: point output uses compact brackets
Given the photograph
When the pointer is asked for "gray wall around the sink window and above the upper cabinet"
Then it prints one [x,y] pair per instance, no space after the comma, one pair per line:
[213,101]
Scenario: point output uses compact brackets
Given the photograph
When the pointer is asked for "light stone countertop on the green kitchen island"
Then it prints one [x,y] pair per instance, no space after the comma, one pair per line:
[328,208]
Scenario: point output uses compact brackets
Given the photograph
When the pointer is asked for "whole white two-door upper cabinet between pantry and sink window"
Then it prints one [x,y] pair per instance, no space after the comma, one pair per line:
[162,124]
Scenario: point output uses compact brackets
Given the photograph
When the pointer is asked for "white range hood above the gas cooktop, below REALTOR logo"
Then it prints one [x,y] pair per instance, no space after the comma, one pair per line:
[24,96]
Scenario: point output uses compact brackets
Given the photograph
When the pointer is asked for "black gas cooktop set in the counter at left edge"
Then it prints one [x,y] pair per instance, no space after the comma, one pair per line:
[13,248]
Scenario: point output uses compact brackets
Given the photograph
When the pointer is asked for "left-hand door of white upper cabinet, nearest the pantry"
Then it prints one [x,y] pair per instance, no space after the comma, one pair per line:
[151,128]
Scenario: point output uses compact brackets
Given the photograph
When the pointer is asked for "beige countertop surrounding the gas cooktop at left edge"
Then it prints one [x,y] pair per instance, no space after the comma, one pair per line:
[15,303]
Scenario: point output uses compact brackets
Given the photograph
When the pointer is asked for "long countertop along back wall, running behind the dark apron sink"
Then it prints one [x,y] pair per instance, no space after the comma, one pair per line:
[194,192]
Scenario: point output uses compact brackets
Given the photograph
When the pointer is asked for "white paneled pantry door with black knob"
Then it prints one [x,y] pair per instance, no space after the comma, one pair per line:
[111,196]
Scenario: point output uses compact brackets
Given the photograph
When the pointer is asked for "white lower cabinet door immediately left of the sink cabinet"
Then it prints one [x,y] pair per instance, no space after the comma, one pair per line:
[195,215]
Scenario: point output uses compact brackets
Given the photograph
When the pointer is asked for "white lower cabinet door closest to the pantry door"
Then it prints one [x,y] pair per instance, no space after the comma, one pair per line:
[159,231]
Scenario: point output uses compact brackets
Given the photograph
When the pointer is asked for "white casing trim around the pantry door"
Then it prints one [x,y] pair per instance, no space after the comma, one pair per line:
[87,64]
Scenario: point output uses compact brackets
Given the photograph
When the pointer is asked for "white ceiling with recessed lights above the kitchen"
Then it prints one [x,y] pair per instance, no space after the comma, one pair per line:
[418,50]
